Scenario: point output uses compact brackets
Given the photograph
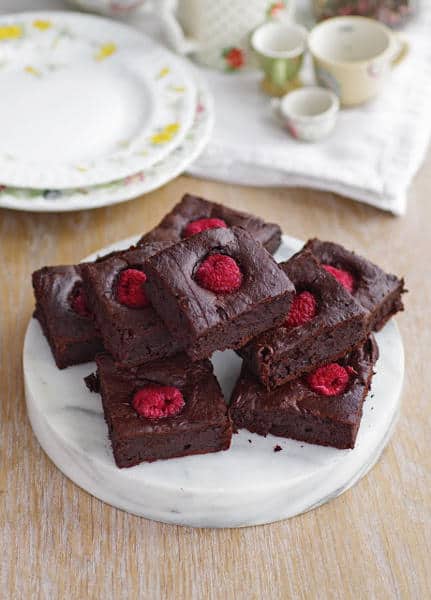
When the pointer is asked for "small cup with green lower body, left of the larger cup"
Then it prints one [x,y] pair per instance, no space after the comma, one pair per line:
[280,49]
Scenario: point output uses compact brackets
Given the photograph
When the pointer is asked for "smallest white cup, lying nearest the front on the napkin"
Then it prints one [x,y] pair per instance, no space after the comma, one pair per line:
[309,113]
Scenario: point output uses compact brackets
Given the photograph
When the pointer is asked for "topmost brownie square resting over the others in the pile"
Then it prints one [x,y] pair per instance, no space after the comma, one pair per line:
[205,320]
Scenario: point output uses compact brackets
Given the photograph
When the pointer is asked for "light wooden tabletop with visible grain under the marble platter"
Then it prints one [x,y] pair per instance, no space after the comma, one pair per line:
[373,542]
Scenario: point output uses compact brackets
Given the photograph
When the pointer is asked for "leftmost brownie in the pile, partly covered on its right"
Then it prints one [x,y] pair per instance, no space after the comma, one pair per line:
[62,311]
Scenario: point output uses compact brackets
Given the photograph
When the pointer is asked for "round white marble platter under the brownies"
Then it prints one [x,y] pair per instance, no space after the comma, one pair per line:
[249,484]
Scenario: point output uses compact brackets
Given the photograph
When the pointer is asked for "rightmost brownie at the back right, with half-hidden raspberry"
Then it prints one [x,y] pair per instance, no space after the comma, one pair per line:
[377,291]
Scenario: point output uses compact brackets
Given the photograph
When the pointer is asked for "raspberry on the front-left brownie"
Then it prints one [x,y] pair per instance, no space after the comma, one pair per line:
[158,401]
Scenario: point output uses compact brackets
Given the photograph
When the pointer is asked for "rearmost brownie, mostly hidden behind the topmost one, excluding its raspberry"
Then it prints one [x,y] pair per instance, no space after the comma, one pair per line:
[173,226]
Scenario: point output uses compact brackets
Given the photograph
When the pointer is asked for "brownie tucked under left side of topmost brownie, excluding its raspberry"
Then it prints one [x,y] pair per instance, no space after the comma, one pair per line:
[132,335]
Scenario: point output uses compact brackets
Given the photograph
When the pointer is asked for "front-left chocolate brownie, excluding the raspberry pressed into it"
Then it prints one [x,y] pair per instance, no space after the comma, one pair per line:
[202,425]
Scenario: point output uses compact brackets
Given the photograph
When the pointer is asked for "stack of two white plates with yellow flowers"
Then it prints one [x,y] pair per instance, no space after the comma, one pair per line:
[92,112]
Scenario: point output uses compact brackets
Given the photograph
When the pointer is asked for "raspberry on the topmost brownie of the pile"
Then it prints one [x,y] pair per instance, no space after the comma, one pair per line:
[219,273]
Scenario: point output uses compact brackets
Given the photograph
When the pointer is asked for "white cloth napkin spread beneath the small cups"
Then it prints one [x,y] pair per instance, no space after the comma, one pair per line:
[372,156]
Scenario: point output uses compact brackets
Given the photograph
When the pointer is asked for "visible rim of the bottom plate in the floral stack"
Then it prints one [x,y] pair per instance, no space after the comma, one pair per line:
[51,200]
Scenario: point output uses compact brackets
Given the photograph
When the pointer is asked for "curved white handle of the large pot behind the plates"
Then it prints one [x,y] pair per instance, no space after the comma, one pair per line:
[165,11]
